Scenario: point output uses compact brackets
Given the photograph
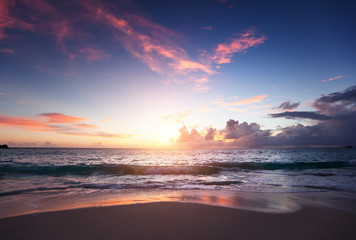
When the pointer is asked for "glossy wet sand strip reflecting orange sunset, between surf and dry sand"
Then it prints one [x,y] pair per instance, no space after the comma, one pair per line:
[264,202]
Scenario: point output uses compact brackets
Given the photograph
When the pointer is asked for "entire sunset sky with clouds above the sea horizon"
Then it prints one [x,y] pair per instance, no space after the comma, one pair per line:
[156,74]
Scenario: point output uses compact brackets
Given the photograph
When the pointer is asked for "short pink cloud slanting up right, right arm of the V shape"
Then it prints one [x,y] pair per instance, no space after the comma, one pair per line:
[225,51]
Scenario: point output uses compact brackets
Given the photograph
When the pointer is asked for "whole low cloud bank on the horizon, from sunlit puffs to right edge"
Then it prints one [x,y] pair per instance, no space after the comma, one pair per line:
[336,116]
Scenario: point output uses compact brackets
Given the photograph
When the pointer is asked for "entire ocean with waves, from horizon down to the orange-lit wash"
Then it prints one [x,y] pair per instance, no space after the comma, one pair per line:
[34,179]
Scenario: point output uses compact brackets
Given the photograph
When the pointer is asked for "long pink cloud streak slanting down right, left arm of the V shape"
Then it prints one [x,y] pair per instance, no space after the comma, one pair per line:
[149,42]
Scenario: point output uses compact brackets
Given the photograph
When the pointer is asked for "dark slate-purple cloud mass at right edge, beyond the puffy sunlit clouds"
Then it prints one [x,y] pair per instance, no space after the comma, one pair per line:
[336,113]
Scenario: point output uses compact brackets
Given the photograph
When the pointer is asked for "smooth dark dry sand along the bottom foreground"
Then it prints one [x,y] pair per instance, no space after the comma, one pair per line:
[170,220]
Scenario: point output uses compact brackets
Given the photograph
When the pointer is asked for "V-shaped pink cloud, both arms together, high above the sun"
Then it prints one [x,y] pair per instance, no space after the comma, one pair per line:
[155,46]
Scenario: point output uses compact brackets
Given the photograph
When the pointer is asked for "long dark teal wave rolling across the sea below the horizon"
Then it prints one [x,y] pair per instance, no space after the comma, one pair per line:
[208,169]
